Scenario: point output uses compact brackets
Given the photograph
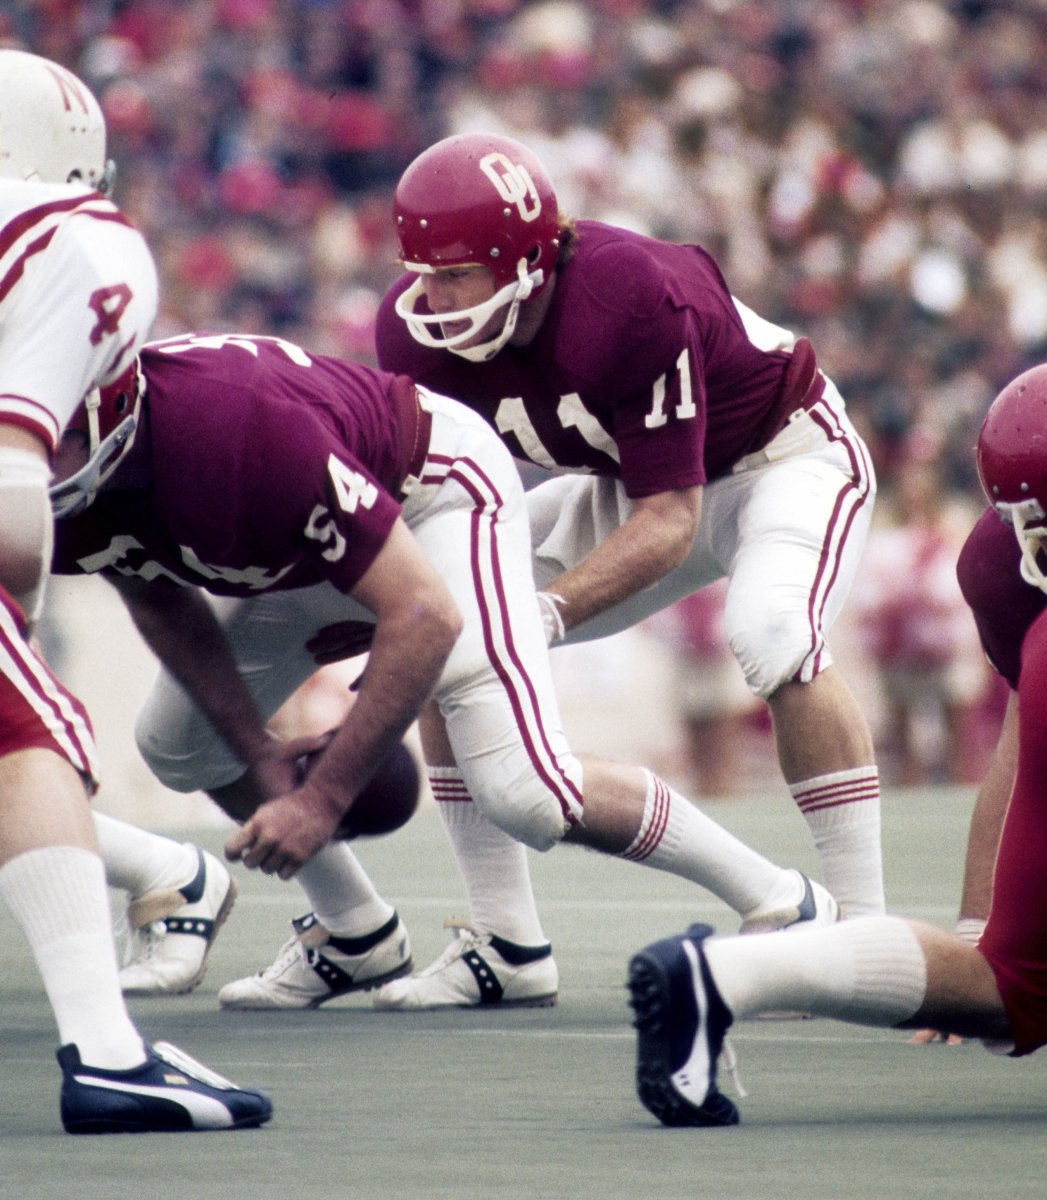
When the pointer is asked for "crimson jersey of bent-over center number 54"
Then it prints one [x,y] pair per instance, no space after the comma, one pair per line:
[270,469]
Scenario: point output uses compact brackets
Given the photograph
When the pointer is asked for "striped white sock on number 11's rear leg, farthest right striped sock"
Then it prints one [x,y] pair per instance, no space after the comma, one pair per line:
[843,814]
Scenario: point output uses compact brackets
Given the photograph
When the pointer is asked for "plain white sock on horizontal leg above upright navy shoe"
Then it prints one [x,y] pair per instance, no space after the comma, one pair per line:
[870,971]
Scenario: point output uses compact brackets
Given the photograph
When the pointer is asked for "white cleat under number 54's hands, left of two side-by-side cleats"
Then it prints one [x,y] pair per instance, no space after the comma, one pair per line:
[315,965]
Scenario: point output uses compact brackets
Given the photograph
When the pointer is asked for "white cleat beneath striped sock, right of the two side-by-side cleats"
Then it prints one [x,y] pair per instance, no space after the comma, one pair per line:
[477,970]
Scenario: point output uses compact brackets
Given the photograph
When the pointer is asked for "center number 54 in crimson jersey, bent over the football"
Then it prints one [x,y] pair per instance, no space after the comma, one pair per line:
[292,485]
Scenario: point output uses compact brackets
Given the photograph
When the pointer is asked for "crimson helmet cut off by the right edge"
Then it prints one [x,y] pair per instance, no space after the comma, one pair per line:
[1013,465]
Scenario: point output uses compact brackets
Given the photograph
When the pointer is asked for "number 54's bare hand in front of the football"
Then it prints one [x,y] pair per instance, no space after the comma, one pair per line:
[284,835]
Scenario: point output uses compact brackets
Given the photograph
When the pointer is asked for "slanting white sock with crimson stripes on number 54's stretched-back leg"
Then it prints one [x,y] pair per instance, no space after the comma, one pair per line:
[679,838]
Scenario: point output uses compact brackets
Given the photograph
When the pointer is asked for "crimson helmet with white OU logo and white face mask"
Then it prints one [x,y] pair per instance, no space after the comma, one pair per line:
[476,199]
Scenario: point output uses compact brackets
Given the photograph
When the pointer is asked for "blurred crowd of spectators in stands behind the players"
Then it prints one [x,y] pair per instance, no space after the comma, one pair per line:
[871,173]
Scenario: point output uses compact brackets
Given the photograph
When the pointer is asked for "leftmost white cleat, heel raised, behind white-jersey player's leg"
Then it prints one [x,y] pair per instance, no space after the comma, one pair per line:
[172,932]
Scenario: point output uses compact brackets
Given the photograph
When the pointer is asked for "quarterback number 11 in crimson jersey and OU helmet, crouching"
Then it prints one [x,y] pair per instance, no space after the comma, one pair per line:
[693,441]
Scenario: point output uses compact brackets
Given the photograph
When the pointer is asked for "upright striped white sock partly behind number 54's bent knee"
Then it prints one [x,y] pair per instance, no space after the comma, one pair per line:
[494,866]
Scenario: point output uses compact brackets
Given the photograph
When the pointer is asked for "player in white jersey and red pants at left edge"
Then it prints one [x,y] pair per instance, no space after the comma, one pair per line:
[77,298]
